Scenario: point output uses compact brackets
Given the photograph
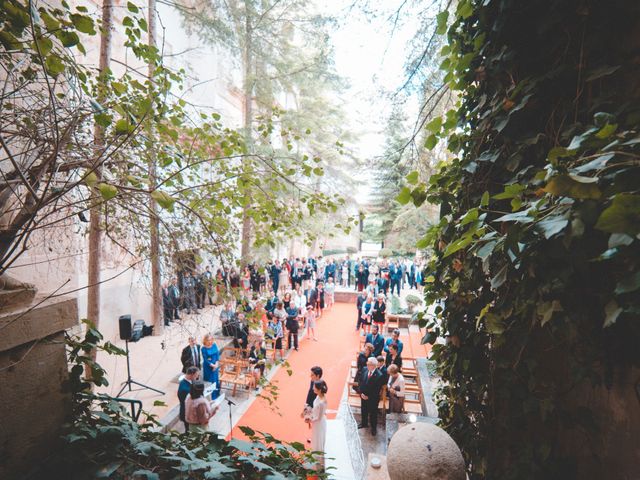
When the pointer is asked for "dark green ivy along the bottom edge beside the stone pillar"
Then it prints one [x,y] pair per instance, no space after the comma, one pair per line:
[102,441]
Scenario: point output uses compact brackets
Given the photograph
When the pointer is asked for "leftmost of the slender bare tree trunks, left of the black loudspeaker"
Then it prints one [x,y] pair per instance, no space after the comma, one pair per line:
[95,230]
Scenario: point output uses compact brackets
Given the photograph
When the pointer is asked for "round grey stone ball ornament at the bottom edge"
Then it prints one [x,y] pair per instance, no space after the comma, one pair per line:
[422,451]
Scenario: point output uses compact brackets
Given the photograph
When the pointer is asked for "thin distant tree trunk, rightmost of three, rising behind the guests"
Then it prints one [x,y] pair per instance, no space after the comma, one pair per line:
[247,87]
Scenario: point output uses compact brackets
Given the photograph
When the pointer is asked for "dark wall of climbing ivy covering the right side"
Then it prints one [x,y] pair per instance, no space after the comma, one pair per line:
[537,249]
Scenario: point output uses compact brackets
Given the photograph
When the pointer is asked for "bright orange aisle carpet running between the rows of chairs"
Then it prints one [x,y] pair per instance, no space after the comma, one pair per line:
[337,346]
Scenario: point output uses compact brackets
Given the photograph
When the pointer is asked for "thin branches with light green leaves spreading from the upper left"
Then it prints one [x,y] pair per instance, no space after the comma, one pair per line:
[205,169]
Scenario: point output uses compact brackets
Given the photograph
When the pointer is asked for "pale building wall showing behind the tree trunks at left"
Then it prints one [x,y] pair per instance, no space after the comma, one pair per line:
[57,260]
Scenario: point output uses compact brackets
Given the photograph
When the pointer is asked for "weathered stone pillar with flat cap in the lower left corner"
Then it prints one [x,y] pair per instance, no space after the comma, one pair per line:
[33,366]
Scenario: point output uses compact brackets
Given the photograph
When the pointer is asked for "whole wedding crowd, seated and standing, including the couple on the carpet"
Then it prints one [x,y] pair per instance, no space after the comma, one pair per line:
[263,305]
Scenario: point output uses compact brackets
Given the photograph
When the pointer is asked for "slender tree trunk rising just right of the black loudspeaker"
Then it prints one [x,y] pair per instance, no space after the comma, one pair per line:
[157,315]
